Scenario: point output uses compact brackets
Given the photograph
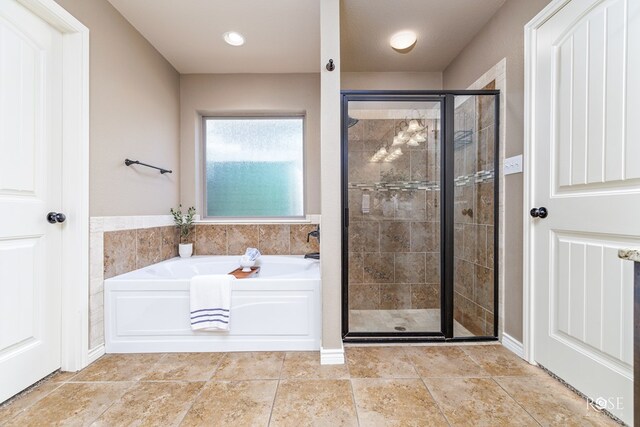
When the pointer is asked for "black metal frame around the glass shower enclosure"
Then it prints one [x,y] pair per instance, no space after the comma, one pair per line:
[447,108]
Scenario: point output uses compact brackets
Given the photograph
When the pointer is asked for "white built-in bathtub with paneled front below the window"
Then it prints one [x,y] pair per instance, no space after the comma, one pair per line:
[147,310]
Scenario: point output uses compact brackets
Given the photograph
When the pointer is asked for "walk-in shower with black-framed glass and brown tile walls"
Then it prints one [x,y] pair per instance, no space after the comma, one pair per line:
[419,179]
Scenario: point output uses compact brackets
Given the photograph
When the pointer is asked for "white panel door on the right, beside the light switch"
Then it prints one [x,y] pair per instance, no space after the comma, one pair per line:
[586,173]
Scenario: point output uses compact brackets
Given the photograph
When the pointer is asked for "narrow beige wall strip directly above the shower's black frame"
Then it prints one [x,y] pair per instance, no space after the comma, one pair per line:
[390,80]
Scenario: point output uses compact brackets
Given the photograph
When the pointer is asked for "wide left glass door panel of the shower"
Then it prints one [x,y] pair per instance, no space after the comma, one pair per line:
[392,158]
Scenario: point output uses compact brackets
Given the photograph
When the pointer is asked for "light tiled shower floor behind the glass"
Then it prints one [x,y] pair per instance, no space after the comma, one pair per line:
[407,320]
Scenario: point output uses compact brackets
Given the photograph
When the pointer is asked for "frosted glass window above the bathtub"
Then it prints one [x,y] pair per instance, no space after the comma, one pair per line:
[254,167]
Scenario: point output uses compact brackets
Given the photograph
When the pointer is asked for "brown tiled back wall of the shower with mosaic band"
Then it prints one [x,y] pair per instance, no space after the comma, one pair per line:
[394,249]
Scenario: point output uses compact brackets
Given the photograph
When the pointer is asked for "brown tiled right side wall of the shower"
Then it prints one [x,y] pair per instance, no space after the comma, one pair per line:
[474,214]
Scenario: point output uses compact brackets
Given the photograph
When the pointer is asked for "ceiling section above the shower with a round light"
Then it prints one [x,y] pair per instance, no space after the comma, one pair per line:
[444,28]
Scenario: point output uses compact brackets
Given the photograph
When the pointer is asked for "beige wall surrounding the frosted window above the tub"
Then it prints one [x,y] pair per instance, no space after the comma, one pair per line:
[211,94]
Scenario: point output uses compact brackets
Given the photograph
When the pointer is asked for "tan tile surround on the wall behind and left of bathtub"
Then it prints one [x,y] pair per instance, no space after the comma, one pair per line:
[122,244]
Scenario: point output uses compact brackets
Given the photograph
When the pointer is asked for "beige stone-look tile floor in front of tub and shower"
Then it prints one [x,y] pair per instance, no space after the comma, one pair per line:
[482,385]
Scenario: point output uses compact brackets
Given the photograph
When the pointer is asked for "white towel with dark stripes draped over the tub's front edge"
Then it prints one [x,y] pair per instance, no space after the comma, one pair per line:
[210,301]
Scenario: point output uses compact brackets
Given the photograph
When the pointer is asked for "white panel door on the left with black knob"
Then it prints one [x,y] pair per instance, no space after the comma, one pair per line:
[30,186]
